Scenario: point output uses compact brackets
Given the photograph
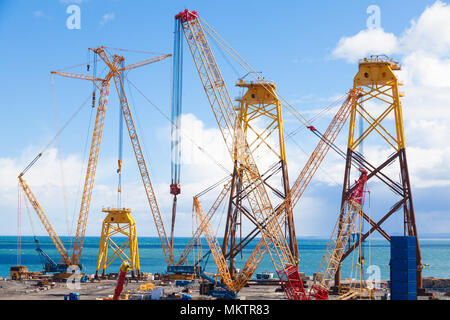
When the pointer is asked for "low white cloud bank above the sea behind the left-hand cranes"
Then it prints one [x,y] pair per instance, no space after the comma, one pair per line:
[199,171]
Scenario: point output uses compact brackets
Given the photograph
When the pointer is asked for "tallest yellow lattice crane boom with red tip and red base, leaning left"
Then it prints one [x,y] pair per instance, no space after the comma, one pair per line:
[226,118]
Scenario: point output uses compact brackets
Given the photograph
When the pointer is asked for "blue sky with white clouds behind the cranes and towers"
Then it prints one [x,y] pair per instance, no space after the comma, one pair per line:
[298,44]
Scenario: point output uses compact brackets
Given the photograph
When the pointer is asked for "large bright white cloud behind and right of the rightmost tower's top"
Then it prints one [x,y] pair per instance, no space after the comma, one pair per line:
[423,50]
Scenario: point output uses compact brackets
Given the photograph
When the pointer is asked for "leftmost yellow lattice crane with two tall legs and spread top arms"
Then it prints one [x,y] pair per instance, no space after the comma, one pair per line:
[103,84]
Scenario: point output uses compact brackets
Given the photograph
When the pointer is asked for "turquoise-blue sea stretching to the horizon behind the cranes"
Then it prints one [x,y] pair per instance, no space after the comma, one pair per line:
[435,253]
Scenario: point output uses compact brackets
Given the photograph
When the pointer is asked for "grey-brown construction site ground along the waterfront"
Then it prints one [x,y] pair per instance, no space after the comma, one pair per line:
[32,290]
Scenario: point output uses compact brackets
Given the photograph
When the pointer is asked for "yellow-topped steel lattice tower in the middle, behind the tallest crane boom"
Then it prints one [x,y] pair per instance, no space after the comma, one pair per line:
[260,117]
